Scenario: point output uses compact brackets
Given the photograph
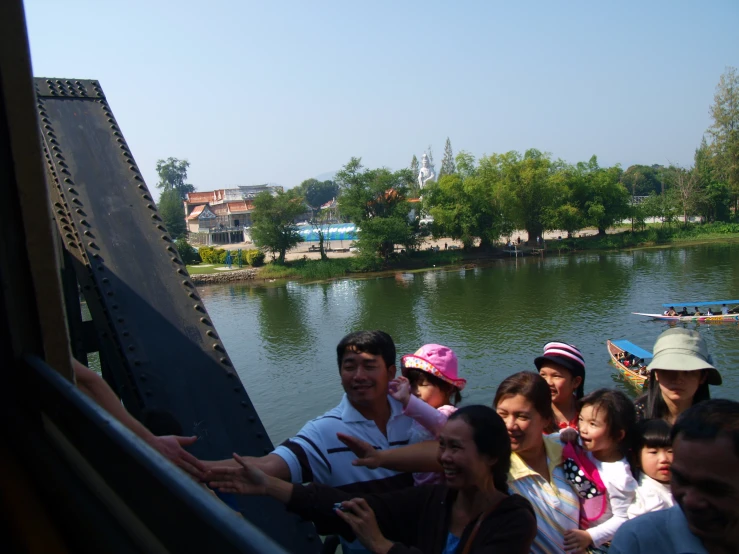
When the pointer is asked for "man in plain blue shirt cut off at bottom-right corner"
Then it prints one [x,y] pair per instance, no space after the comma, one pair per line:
[705,484]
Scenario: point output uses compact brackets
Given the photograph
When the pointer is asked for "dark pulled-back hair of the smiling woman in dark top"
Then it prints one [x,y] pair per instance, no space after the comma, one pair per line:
[491,438]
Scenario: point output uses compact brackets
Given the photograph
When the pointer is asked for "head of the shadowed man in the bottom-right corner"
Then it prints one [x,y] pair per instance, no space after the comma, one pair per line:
[705,470]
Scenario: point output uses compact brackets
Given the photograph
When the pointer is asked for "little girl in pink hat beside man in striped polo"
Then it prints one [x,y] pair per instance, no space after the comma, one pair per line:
[429,391]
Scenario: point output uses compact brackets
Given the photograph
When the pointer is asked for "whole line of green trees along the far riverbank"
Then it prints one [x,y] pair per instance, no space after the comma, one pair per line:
[480,201]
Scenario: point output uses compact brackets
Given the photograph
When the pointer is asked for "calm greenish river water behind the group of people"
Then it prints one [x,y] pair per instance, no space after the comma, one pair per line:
[282,339]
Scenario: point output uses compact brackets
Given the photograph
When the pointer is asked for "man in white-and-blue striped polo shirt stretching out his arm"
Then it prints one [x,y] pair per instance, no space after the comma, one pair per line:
[366,365]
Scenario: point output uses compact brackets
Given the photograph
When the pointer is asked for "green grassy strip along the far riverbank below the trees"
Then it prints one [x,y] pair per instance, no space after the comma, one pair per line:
[317,270]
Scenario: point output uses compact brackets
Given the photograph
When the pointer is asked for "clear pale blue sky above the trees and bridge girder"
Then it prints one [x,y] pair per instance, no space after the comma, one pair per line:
[278,91]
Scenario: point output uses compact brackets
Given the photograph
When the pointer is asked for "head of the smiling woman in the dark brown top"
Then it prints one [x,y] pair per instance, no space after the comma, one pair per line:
[474,450]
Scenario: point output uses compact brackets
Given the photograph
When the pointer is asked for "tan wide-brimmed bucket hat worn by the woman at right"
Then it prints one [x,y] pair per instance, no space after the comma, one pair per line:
[683,350]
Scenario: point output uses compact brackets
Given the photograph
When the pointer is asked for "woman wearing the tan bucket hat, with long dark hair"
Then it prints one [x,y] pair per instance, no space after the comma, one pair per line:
[679,375]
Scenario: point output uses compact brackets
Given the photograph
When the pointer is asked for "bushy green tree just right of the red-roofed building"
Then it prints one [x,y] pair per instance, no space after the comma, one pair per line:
[273,221]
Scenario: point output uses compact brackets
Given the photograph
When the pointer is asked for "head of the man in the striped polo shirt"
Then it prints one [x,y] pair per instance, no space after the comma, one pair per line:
[366,365]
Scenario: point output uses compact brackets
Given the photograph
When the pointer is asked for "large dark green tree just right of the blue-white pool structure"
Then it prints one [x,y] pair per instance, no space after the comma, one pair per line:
[375,200]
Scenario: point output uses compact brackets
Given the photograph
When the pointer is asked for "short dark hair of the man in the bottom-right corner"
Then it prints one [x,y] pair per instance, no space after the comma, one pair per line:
[709,420]
